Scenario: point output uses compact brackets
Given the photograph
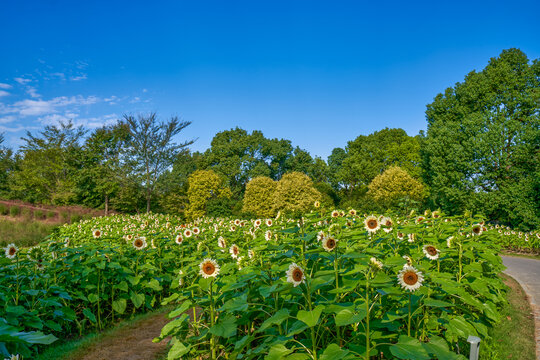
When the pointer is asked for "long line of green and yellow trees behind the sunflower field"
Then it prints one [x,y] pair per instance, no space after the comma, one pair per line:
[481,152]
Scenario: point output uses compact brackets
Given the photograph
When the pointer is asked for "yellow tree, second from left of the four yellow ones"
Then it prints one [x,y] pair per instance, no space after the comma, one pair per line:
[259,196]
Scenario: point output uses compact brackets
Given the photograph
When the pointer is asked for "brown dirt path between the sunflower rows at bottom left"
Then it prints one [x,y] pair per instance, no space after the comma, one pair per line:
[133,342]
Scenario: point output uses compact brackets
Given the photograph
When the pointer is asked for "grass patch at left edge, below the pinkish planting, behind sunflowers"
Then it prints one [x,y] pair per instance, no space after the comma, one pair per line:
[23,233]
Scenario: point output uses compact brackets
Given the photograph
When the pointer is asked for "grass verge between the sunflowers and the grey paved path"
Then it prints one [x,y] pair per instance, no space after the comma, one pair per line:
[513,337]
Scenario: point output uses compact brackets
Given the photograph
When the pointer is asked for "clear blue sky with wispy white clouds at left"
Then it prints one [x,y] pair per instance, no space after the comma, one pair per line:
[318,73]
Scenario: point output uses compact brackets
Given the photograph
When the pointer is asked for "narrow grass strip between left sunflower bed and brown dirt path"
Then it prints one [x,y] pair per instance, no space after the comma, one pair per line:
[77,348]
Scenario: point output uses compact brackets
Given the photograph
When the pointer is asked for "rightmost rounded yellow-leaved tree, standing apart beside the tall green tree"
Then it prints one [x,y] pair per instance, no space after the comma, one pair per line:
[394,185]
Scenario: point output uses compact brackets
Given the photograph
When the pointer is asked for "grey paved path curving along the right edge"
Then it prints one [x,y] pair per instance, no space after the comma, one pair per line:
[527,273]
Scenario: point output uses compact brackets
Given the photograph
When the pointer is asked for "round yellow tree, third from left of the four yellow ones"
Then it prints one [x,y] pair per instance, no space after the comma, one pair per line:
[295,194]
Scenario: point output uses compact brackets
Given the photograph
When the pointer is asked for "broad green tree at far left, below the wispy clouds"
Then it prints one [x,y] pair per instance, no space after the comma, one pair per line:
[47,165]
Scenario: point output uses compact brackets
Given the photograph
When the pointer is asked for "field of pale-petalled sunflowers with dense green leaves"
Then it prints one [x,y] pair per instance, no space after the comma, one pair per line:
[328,285]
